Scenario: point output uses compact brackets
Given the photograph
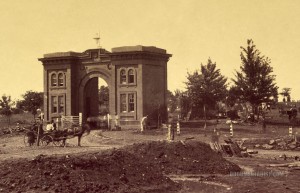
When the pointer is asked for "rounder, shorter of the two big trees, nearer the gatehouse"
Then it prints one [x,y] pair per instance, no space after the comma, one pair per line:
[206,88]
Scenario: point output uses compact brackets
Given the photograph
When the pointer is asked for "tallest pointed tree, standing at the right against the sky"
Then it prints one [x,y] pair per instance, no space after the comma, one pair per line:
[255,82]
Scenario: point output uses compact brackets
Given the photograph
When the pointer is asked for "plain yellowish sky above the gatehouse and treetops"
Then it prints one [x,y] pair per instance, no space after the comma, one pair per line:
[191,30]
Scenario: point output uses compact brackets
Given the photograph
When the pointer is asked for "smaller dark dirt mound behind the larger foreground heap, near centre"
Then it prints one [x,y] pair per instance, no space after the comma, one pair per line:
[191,157]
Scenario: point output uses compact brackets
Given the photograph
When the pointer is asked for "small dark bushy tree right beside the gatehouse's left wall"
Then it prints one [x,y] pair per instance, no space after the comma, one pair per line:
[32,101]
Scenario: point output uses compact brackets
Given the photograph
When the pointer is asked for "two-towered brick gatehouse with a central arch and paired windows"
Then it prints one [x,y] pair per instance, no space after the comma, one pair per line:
[136,77]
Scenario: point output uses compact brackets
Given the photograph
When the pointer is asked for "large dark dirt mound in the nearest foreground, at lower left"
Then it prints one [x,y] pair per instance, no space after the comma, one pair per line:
[110,171]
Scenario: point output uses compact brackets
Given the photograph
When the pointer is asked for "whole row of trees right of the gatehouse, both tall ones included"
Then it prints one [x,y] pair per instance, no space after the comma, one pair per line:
[207,88]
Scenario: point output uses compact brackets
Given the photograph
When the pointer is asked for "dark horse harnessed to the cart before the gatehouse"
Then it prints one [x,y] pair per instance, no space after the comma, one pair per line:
[75,131]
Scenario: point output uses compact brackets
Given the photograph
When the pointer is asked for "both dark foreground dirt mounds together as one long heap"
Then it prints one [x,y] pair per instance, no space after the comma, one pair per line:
[138,168]
